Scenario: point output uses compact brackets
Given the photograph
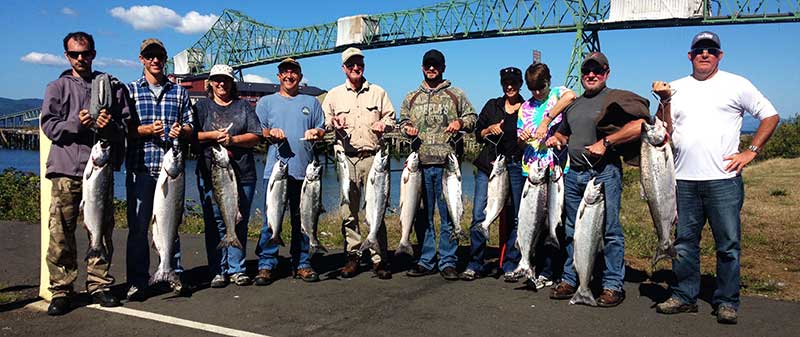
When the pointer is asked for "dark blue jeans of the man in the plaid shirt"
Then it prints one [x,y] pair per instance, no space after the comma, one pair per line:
[140,190]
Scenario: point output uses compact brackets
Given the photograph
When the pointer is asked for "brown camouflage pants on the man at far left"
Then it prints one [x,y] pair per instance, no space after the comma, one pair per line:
[62,257]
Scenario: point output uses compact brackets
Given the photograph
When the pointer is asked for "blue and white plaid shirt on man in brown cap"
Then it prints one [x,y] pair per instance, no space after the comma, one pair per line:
[145,153]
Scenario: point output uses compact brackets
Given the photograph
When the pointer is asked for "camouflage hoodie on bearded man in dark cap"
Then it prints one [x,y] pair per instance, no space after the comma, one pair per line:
[430,110]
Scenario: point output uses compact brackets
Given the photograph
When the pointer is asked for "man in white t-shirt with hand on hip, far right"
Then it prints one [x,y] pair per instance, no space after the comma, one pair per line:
[704,114]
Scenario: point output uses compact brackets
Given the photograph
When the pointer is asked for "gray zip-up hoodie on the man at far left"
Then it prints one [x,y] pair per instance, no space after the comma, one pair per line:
[64,98]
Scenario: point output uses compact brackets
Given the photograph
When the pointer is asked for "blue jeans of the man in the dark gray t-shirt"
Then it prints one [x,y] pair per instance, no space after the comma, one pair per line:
[613,241]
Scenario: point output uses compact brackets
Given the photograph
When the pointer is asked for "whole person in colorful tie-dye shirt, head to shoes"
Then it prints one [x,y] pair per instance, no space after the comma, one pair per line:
[539,117]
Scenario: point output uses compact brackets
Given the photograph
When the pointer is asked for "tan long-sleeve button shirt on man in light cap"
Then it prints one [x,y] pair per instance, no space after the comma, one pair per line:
[359,109]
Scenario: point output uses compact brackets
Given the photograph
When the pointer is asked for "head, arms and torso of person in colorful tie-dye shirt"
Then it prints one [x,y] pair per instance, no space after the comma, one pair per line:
[539,118]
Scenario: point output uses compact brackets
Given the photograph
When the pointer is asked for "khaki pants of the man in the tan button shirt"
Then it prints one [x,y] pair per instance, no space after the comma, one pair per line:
[359,169]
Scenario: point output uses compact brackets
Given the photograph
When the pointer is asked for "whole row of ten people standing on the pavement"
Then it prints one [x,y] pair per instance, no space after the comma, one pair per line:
[585,136]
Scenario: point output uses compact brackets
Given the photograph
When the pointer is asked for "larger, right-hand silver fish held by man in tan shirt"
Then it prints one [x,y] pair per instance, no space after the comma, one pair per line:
[376,197]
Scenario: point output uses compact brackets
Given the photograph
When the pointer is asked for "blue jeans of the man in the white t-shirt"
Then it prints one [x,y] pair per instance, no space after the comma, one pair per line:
[719,202]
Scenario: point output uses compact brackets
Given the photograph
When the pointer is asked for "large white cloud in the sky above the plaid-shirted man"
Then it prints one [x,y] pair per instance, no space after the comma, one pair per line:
[156,17]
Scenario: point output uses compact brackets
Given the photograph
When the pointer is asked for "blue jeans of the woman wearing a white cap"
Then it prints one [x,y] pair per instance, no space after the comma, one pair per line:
[230,260]
